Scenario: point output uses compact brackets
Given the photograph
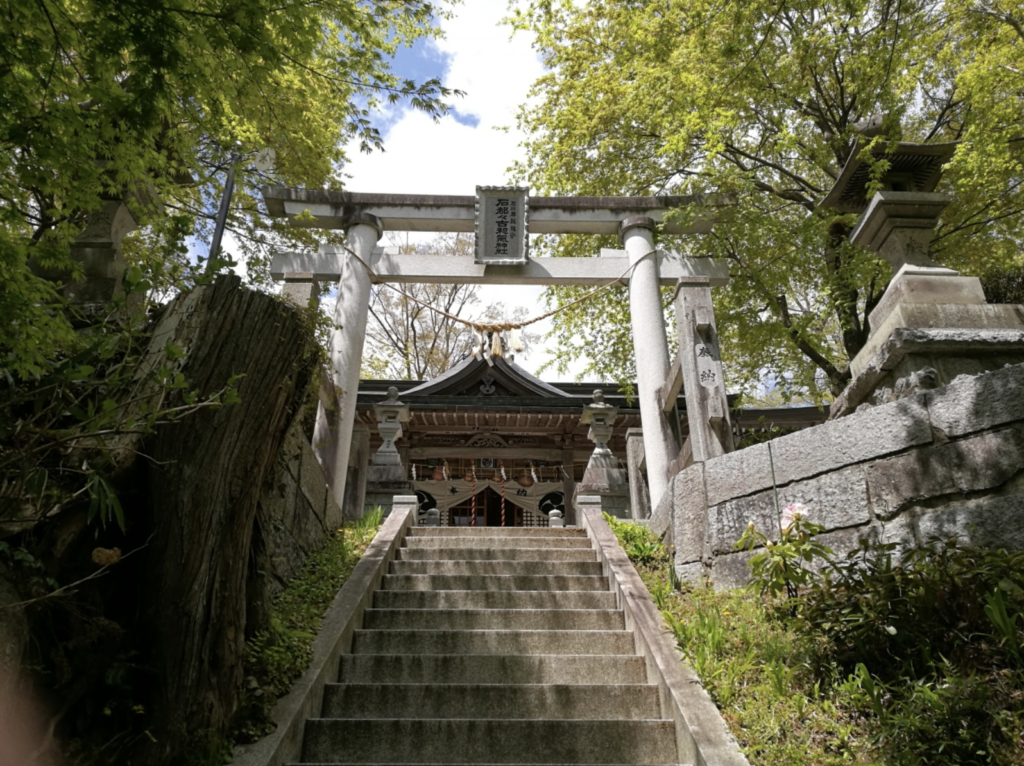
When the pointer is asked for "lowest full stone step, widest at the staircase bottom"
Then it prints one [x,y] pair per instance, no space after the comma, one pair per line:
[476,742]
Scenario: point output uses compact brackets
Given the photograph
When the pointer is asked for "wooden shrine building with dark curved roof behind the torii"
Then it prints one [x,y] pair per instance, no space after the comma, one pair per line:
[488,432]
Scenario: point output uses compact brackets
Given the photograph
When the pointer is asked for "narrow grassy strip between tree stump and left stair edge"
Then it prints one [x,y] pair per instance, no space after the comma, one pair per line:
[278,656]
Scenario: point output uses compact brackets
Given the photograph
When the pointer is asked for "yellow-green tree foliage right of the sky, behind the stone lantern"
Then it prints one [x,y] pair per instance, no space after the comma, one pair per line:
[760,104]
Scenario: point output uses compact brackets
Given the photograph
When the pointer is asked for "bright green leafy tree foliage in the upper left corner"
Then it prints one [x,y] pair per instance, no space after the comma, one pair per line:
[100,99]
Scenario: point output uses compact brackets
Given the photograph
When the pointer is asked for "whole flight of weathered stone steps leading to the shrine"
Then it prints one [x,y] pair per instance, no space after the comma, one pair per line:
[493,647]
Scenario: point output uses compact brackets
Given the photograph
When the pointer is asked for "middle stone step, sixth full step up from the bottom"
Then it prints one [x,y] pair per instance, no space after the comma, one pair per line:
[495,601]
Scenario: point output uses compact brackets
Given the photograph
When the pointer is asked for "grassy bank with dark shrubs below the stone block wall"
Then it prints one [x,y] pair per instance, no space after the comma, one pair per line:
[897,663]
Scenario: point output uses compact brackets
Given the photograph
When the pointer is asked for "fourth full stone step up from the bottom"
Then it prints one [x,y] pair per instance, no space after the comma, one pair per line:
[493,643]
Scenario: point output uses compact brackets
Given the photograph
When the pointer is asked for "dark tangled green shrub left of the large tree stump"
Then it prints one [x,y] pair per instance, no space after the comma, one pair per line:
[67,432]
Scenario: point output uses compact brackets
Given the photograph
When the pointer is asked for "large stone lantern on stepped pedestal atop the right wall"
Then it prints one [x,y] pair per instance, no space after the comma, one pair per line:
[931,324]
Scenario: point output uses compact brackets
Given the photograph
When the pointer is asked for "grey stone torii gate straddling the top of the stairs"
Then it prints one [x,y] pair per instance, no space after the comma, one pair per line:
[365,218]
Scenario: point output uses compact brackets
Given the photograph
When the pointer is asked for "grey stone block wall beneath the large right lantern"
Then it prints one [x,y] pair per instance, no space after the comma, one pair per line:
[947,462]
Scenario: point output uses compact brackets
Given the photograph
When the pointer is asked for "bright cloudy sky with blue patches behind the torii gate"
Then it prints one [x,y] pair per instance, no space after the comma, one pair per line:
[477,144]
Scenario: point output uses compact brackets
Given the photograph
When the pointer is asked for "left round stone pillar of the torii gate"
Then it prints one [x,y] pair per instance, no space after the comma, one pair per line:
[333,434]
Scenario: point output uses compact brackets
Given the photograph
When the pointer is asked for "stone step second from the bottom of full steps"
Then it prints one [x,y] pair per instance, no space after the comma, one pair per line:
[492,701]
